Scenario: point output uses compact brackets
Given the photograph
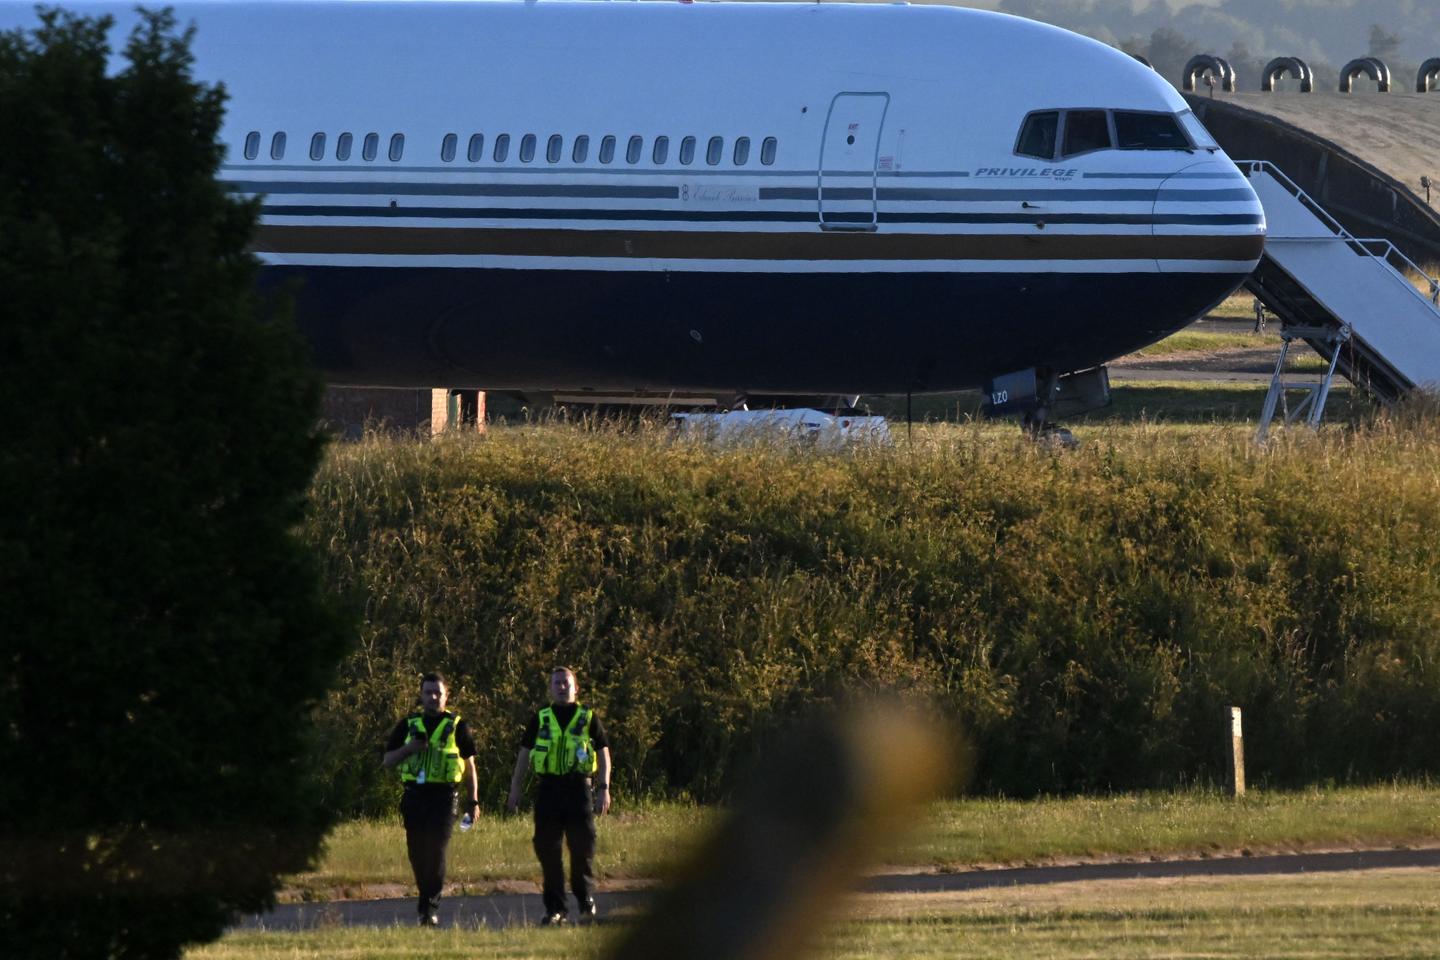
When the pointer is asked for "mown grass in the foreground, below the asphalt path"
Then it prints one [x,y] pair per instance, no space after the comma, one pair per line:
[1374,915]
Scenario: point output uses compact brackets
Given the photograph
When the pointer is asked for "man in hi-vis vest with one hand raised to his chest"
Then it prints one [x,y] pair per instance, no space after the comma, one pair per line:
[436,755]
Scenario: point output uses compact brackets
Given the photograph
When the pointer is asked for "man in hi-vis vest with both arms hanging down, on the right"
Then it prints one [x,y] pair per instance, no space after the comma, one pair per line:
[567,749]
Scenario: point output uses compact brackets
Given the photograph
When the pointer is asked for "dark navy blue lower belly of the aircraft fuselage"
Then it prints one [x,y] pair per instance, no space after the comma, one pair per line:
[726,333]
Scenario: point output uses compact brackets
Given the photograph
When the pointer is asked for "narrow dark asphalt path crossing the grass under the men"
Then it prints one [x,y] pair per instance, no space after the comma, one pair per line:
[496,912]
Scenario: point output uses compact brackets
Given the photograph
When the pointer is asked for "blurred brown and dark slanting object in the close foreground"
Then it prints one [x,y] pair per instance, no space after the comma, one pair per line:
[817,811]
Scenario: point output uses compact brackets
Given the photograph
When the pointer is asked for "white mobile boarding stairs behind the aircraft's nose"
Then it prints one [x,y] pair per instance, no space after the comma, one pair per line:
[1349,299]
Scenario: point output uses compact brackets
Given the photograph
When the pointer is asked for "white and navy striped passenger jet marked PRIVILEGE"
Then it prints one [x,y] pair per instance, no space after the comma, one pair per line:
[718,199]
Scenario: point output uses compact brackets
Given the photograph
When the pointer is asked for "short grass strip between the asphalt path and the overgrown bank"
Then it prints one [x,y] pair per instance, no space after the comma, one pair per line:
[957,834]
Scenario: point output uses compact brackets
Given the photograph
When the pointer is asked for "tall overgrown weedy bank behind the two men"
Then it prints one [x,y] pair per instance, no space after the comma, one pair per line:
[1086,618]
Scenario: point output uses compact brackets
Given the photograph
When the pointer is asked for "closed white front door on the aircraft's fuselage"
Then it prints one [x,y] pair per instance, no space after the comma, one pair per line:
[847,162]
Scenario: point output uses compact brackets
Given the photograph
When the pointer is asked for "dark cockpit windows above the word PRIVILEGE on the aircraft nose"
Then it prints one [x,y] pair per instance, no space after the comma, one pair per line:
[1055,135]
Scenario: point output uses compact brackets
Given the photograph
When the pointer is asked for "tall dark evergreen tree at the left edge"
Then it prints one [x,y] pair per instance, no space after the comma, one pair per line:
[165,635]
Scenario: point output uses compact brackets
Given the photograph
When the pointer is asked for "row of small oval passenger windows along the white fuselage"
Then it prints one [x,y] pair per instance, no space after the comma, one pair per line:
[555,152]
